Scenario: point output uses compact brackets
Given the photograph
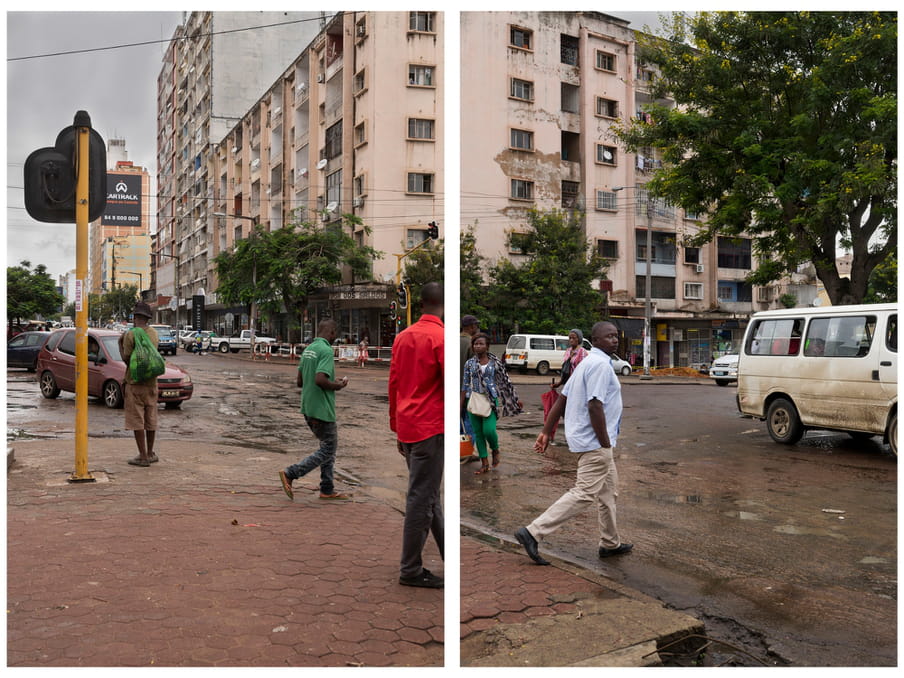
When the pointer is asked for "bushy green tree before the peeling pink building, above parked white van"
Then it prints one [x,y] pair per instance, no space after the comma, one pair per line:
[551,290]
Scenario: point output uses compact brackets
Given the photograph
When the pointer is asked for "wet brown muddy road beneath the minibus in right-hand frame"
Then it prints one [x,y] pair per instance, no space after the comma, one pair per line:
[788,553]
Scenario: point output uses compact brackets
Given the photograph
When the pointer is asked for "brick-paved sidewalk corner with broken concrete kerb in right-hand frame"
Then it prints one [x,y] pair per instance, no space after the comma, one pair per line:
[516,613]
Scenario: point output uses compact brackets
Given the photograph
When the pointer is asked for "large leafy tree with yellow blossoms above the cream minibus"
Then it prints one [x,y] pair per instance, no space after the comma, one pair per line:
[785,129]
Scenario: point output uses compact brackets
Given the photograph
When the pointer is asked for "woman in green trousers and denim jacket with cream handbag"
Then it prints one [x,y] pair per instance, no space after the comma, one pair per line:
[486,393]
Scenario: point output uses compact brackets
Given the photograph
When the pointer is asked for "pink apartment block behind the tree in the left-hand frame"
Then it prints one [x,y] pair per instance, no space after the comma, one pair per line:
[353,125]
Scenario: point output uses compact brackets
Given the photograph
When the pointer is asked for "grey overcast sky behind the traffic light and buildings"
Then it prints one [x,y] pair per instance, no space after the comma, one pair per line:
[117,87]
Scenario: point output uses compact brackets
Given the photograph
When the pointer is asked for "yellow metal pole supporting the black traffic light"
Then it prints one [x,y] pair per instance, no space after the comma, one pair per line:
[81,473]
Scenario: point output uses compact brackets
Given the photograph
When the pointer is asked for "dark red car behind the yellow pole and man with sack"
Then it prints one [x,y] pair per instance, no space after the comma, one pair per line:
[106,370]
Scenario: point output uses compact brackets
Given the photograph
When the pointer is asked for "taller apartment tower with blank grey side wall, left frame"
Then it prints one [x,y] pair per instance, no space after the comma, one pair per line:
[215,67]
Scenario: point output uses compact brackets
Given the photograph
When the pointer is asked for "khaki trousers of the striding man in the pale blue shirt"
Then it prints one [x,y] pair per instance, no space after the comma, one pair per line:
[597,483]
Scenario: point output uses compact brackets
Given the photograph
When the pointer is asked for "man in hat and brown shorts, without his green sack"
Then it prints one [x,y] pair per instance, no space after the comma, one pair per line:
[140,398]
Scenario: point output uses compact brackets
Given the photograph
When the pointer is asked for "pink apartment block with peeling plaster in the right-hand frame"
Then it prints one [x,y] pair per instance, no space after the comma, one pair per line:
[537,131]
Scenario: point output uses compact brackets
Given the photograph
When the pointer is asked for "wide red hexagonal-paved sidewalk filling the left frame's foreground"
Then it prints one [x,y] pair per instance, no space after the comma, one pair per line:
[201,560]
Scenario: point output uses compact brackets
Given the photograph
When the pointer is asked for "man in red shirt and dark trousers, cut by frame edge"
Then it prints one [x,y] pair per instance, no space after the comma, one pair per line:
[416,417]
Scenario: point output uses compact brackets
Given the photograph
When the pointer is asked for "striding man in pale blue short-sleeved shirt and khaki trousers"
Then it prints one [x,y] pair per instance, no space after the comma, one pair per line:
[592,405]
